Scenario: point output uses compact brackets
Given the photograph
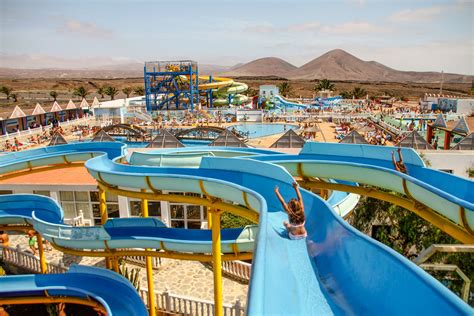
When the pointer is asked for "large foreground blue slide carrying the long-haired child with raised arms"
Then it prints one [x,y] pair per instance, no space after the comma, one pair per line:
[330,272]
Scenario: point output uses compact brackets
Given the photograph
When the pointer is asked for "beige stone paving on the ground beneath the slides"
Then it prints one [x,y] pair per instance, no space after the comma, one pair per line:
[187,278]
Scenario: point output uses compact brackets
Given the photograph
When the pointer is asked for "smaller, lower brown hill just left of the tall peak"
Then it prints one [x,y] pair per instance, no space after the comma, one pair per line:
[269,66]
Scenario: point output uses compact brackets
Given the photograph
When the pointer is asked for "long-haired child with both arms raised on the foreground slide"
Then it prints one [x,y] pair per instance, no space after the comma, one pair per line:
[296,216]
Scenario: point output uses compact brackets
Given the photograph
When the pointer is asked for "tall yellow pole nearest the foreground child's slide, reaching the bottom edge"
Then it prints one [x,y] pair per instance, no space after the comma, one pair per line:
[217,261]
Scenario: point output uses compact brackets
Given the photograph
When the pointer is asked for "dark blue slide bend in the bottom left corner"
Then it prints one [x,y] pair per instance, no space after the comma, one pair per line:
[80,285]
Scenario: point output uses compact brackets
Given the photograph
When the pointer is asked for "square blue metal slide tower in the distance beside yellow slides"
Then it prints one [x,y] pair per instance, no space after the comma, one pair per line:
[171,84]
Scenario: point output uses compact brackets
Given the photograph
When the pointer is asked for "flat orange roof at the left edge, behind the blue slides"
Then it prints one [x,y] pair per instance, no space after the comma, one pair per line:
[64,176]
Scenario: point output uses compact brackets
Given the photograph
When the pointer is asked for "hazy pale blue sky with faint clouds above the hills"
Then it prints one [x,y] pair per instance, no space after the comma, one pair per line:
[406,35]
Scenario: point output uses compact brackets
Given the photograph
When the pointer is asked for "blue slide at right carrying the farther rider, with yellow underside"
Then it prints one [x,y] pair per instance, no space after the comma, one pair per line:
[443,199]
